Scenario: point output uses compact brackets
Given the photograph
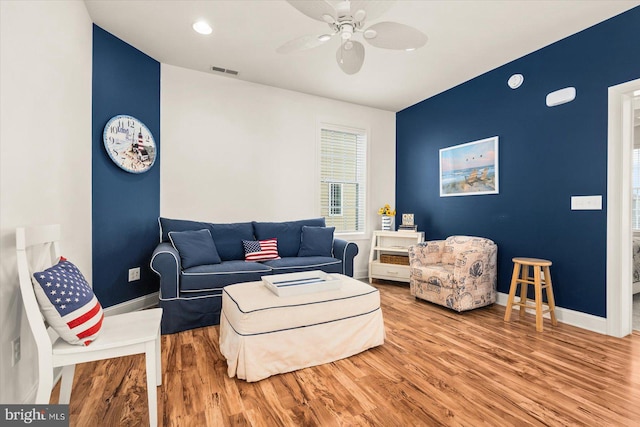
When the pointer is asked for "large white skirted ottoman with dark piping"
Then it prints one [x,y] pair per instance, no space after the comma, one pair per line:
[262,334]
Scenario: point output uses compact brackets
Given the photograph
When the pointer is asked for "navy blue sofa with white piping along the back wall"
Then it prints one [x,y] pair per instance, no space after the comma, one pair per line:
[192,297]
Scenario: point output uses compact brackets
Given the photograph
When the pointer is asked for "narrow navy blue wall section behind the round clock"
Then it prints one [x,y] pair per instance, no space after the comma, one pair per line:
[125,206]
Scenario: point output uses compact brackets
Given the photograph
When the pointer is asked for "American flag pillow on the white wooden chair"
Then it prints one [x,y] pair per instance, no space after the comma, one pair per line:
[68,303]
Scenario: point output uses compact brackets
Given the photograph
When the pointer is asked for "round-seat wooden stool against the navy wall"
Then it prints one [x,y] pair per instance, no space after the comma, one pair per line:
[521,275]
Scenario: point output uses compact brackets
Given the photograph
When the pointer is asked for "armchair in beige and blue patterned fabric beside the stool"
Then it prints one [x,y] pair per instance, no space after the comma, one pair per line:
[459,272]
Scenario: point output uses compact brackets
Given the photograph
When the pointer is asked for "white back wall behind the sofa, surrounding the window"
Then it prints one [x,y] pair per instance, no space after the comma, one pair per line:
[236,151]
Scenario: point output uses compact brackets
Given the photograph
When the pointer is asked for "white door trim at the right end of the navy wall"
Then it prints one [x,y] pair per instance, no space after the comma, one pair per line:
[619,231]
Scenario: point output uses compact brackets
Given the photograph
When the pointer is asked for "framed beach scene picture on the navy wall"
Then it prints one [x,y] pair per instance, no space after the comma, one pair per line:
[469,169]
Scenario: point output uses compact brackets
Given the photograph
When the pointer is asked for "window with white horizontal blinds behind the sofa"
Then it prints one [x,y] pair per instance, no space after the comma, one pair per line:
[343,178]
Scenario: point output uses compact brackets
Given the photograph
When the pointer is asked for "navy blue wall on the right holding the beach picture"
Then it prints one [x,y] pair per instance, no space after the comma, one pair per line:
[546,155]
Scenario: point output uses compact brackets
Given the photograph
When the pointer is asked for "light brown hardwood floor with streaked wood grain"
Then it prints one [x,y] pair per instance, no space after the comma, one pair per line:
[437,367]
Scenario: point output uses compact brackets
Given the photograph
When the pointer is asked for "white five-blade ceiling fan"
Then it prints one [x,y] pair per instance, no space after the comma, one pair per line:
[347,19]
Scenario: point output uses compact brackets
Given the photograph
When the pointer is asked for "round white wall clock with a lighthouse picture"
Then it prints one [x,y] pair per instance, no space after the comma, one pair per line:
[129,143]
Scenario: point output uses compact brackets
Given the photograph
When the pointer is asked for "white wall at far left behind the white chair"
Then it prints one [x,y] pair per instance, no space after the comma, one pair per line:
[45,153]
